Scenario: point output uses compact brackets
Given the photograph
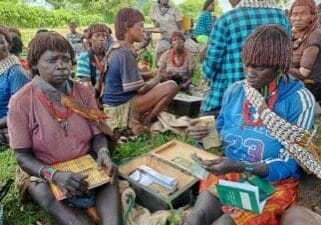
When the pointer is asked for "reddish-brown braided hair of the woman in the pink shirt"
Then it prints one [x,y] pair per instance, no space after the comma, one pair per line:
[50,41]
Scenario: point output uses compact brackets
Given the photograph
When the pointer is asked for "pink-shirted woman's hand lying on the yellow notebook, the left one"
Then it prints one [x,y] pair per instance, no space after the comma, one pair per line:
[73,184]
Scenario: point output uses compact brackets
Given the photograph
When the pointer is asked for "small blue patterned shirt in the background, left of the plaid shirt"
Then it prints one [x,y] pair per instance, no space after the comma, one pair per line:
[204,24]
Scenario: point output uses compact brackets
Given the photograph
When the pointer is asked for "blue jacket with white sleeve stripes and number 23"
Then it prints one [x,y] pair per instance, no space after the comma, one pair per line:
[254,143]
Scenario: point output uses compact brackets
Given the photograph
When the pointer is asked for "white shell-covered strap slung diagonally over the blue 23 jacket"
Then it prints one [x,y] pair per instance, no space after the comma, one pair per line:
[295,139]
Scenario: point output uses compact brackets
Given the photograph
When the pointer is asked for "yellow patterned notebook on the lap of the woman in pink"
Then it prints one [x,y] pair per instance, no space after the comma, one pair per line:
[84,165]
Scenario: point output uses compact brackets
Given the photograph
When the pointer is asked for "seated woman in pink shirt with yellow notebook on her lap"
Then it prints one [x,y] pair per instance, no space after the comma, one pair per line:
[51,121]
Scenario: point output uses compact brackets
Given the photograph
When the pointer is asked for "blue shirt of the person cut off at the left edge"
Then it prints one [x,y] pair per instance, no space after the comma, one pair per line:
[11,81]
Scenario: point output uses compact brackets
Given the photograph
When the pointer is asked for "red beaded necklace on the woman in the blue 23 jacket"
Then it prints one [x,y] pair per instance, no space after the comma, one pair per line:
[271,94]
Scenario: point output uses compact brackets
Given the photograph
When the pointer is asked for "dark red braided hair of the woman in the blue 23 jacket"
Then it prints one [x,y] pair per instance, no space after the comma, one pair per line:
[268,46]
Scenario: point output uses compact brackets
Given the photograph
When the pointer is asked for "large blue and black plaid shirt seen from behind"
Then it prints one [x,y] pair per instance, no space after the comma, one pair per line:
[223,64]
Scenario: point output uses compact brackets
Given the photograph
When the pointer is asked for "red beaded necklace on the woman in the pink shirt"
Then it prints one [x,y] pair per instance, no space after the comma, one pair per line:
[61,117]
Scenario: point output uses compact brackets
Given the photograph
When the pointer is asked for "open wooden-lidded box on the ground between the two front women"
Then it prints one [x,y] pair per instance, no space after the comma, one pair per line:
[172,159]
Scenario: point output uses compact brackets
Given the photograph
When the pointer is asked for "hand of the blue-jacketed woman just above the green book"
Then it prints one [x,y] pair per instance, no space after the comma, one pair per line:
[224,165]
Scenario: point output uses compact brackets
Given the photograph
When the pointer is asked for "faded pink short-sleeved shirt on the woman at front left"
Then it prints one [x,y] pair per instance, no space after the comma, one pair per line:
[32,126]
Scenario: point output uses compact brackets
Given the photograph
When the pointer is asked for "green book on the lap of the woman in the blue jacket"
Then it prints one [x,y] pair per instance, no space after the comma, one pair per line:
[242,195]
